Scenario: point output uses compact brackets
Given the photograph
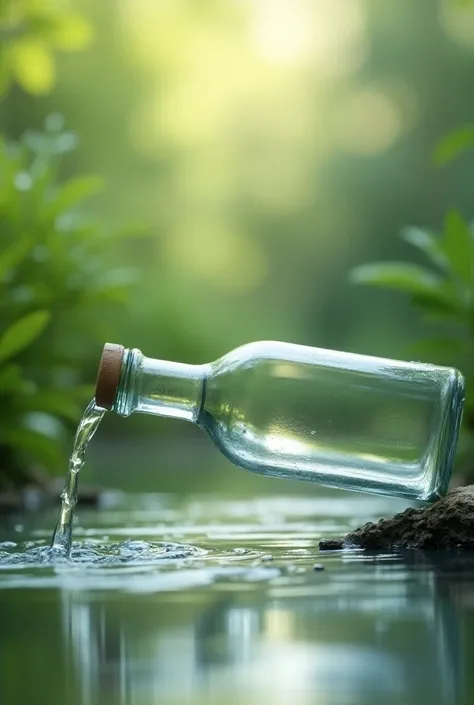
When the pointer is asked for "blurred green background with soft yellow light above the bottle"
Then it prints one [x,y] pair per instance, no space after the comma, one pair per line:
[256,151]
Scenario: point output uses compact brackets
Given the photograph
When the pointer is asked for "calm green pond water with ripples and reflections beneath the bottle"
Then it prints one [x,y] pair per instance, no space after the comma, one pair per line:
[177,599]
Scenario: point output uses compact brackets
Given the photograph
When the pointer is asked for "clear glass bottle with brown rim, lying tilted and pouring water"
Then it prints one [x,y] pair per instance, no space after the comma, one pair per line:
[344,420]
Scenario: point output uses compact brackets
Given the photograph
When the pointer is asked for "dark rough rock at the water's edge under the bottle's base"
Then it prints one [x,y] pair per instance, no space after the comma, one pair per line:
[447,524]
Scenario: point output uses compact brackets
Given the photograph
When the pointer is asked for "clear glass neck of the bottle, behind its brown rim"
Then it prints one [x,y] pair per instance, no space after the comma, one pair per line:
[160,387]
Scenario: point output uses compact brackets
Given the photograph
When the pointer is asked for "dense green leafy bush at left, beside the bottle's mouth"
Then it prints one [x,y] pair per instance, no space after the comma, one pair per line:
[56,286]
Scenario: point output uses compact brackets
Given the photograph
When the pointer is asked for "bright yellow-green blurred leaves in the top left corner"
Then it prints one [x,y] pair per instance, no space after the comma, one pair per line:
[30,33]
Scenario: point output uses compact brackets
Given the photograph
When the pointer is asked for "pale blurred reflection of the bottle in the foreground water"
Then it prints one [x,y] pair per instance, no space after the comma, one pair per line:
[402,643]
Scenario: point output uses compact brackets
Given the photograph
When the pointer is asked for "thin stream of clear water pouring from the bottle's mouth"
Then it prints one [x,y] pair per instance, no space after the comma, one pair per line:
[62,536]
